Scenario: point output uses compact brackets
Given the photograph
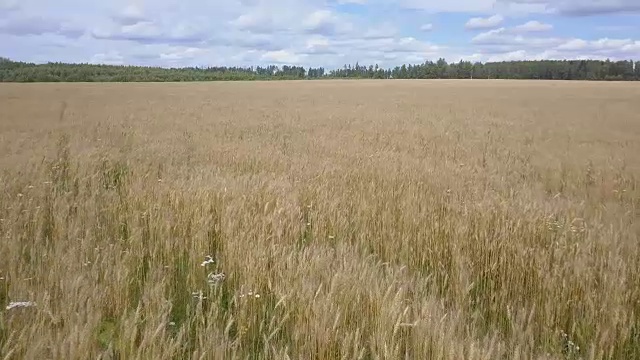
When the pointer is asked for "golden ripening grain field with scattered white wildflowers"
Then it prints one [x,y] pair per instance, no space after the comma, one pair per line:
[320,220]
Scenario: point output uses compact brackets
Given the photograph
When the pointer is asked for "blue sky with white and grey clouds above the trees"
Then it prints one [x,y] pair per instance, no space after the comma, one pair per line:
[328,33]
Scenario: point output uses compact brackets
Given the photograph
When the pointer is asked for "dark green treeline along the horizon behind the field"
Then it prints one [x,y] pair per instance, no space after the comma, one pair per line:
[12,71]
